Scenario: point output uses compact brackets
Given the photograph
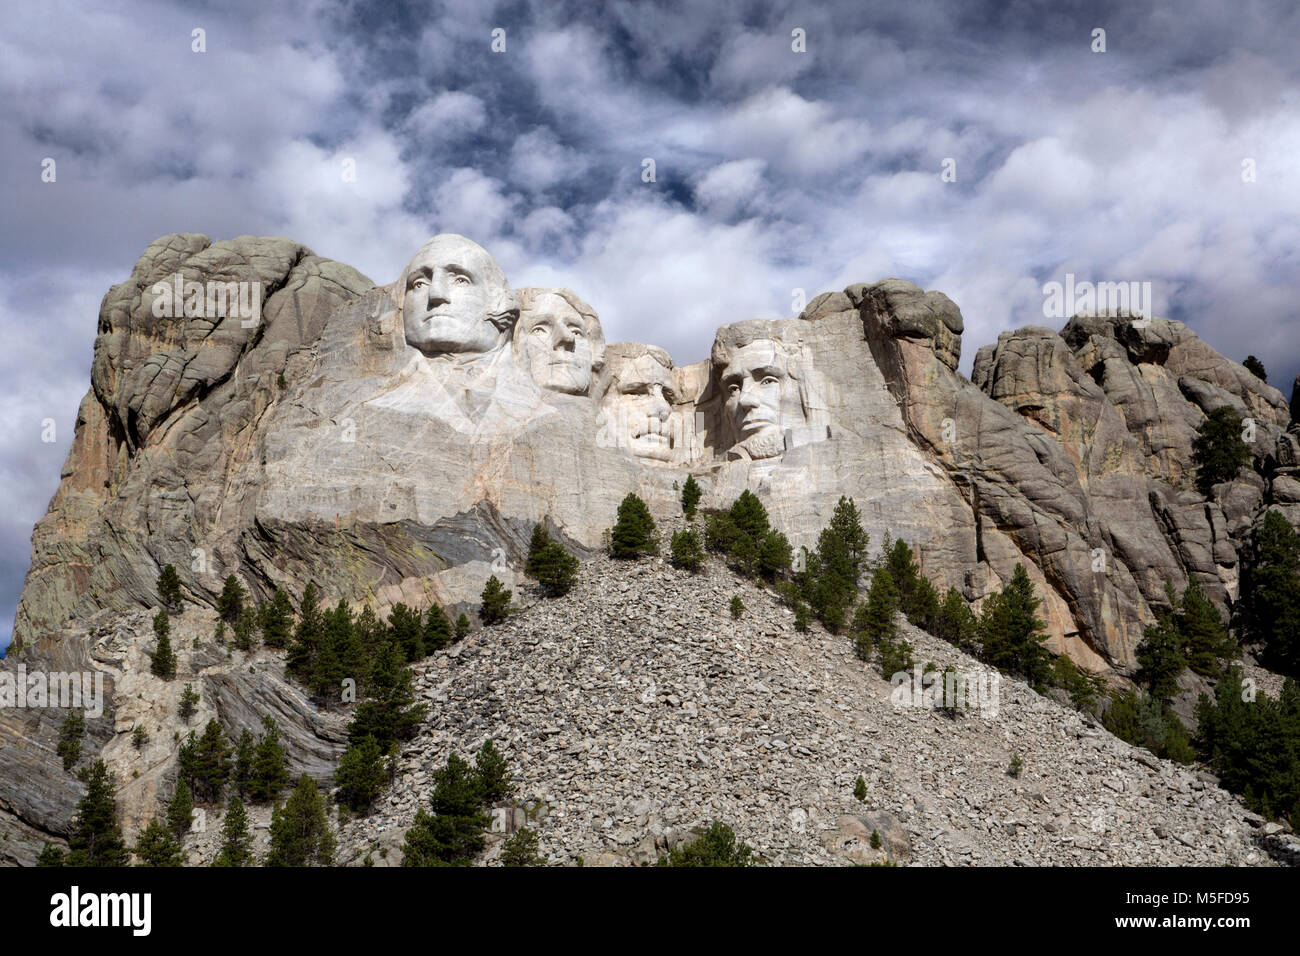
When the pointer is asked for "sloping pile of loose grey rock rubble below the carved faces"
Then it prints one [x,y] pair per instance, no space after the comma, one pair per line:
[636,710]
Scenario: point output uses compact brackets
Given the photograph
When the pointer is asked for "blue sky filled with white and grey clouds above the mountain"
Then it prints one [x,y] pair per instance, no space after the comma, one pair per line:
[775,170]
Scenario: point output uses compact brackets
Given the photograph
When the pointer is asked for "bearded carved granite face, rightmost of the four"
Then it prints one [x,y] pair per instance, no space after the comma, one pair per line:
[762,399]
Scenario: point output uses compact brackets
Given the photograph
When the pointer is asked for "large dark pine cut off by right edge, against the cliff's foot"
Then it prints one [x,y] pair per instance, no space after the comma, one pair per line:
[1271,592]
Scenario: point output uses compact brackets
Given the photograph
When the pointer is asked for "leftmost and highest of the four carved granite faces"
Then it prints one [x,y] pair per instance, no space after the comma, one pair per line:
[450,288]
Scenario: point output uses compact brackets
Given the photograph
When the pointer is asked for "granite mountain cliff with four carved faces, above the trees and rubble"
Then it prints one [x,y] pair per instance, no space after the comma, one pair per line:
[400,443]
